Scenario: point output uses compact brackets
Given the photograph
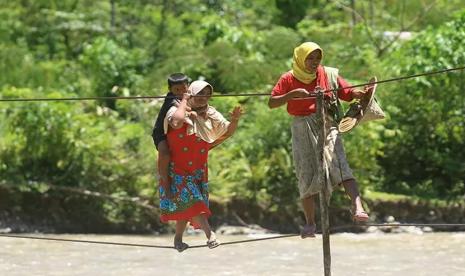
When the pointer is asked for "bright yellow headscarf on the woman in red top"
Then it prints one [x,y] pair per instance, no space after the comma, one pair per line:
[298,63]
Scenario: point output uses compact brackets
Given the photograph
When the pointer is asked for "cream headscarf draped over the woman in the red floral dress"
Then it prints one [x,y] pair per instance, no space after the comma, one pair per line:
[209,127]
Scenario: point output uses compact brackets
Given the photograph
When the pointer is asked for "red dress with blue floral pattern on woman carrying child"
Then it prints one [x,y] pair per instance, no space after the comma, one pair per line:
[188,175]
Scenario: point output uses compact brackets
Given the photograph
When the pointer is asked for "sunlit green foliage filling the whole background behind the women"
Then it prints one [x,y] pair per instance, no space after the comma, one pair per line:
[80,48]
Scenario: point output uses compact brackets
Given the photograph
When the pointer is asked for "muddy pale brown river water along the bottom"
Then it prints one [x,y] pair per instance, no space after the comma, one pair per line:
[352,254]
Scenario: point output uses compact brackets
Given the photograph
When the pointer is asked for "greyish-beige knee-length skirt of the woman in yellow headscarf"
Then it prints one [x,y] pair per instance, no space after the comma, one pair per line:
[308,166]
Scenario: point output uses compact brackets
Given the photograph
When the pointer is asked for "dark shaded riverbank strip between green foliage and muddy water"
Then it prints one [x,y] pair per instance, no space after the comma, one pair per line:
[62,212]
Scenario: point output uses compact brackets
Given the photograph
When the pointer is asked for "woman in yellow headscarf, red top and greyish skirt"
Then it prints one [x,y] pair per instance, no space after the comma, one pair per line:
[293,89]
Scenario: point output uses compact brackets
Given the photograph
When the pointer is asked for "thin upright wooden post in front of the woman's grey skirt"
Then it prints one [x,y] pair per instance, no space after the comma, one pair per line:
[324,194]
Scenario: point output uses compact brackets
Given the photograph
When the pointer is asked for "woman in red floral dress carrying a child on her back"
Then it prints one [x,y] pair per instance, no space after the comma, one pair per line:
[190,135]
